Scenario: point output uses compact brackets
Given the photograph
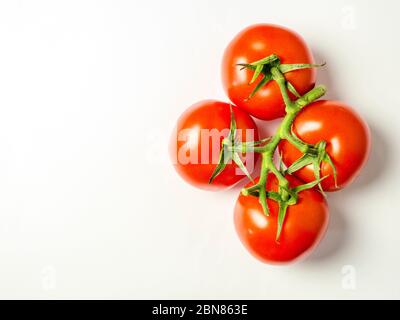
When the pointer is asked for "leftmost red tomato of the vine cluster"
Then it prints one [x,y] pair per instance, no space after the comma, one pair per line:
[196,143]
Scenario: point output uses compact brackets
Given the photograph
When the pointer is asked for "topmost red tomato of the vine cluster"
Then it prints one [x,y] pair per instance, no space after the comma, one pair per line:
[257,42]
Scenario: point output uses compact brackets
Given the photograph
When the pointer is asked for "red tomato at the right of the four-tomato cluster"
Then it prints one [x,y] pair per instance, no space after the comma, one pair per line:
[347,137]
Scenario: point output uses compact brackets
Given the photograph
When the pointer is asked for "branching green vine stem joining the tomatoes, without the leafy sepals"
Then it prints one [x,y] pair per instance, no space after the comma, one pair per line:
[284,131]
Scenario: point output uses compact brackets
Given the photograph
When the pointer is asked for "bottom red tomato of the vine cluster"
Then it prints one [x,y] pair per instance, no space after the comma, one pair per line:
[303,228]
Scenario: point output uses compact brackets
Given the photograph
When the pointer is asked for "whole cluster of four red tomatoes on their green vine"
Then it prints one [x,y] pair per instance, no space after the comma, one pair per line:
[268,72]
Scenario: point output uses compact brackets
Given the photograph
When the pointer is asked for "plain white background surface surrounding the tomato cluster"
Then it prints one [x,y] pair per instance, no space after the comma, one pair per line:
[89,204]
